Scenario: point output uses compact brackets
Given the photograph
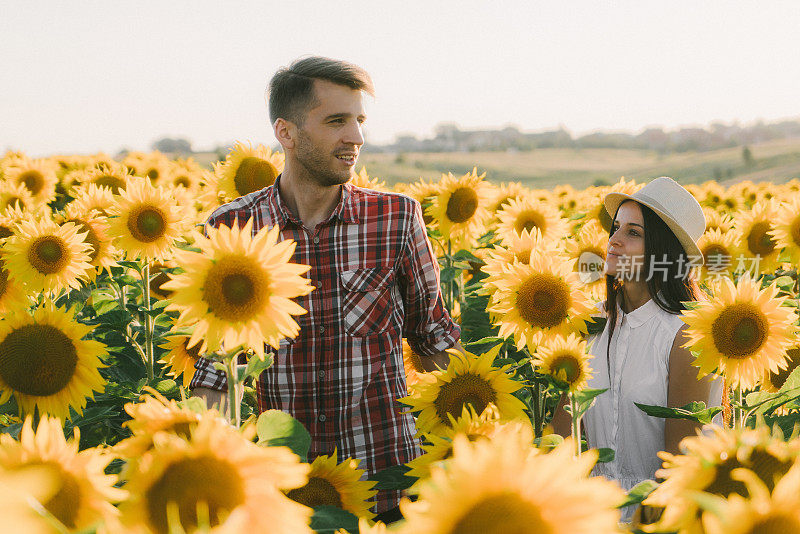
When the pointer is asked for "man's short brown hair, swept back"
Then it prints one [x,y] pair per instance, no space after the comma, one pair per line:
[291,90]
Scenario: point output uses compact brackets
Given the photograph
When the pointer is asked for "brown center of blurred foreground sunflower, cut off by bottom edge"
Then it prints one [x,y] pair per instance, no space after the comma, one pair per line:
[502,514]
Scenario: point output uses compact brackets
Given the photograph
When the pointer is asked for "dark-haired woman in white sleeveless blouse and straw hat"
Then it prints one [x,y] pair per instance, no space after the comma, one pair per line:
[639,356]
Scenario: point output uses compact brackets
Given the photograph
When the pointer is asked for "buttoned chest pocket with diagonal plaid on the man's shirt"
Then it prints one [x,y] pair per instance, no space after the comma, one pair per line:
[367,300]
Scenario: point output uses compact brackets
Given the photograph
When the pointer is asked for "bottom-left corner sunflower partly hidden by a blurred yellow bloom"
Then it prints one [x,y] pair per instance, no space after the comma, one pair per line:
[84,493]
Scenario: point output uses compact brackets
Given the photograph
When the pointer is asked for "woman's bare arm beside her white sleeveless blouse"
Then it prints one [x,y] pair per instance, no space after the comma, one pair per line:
[683,388]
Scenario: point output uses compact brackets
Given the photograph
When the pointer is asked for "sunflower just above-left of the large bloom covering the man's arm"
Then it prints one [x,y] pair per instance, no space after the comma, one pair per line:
[147,222]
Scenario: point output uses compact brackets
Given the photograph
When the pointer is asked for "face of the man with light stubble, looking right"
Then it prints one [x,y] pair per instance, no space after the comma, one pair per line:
[329,140]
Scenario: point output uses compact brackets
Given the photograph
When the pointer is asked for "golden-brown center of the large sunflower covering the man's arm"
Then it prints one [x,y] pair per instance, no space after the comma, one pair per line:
[236,288]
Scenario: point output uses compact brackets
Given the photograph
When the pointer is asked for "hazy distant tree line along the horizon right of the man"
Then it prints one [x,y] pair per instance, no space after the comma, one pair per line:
[448,137]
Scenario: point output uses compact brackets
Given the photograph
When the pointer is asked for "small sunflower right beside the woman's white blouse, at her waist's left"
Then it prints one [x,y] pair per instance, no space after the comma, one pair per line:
[565,359]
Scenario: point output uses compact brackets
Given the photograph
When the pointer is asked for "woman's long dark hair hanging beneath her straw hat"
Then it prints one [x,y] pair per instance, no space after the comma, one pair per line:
[668,287]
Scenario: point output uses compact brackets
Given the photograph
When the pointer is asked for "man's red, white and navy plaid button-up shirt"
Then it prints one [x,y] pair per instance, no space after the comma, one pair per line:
[376,281]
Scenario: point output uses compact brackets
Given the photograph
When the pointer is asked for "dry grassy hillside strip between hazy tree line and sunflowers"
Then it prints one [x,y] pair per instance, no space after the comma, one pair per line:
[777,161]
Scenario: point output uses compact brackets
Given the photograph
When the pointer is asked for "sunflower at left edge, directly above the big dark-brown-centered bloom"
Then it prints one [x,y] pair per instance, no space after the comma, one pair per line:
[45,257]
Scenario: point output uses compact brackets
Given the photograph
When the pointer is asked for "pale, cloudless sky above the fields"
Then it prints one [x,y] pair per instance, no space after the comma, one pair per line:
[83,76]
